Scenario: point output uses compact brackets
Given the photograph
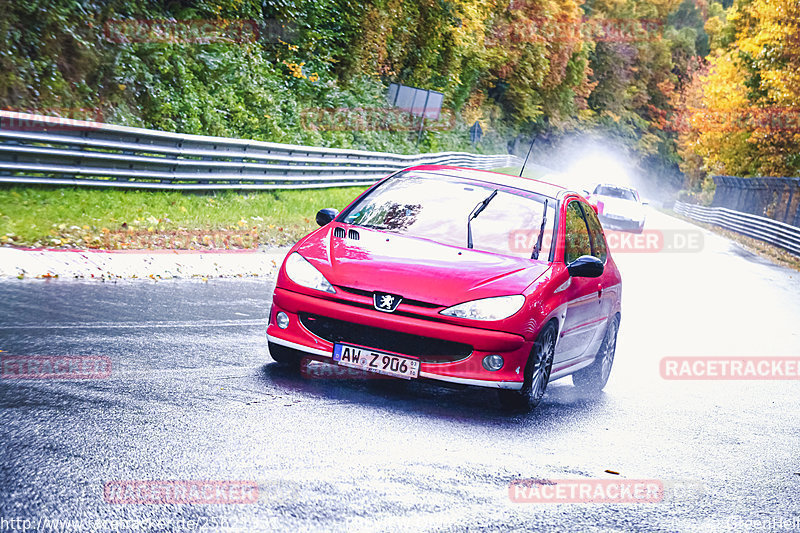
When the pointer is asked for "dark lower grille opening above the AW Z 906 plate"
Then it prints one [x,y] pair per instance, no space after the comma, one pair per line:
[428,349]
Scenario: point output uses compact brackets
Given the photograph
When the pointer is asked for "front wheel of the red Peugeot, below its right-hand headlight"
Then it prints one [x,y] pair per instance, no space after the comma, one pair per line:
[537,374]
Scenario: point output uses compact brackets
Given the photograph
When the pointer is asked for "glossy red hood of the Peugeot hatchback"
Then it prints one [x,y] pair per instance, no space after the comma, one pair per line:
[416,269]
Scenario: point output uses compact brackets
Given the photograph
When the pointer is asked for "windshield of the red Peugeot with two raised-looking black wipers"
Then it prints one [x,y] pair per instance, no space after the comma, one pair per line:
[436,207]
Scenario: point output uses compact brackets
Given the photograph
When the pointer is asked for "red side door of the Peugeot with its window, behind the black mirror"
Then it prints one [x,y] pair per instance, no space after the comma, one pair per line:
[583,313]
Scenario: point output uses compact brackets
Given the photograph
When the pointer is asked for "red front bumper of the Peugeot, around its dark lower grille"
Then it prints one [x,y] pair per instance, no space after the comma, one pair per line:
[467,371]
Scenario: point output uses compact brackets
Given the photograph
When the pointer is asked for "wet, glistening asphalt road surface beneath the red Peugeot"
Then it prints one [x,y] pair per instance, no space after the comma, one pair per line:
[193,395]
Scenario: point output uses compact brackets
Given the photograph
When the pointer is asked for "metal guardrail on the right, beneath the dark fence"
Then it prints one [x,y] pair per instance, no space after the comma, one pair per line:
[764,229]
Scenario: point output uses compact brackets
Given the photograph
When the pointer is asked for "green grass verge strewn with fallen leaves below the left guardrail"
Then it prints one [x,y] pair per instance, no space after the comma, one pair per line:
[68,217]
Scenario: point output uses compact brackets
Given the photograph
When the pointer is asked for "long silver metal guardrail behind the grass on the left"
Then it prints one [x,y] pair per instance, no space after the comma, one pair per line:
[57,151]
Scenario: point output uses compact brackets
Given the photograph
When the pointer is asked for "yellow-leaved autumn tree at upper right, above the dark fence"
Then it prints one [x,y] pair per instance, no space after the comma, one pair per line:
[740,115]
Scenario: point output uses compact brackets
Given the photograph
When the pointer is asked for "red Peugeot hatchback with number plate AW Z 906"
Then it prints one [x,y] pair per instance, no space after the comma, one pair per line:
[456,275]
